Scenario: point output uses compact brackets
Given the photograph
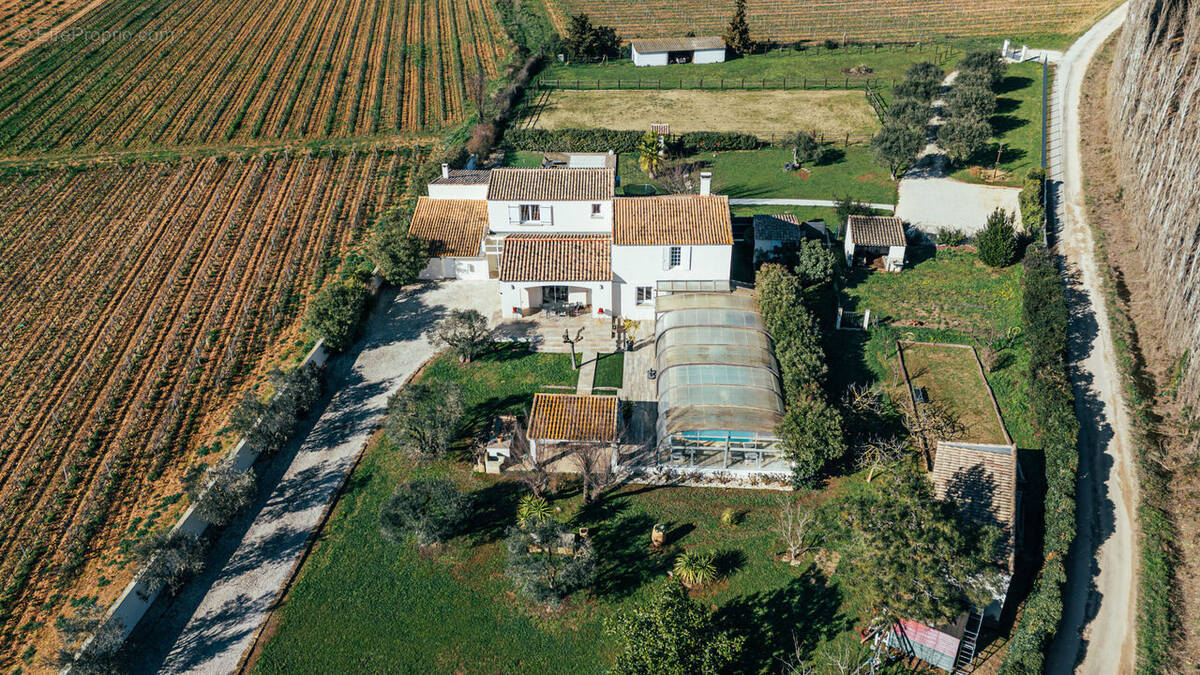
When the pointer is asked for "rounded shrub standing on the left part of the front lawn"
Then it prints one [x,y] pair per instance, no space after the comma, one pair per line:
[429,510]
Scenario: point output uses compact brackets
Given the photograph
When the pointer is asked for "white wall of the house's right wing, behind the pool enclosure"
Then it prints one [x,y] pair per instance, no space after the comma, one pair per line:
[645,266]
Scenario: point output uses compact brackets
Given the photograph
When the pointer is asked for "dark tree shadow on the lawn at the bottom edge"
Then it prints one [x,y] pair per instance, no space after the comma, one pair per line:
[787,623]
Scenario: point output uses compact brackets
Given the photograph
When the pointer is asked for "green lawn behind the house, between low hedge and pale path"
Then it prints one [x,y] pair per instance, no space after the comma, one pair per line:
[760,175]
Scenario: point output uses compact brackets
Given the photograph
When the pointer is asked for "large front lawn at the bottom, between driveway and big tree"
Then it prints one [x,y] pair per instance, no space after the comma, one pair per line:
[369,606]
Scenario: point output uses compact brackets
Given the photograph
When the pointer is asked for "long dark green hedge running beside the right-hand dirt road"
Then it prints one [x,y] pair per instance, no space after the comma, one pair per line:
[1046,326]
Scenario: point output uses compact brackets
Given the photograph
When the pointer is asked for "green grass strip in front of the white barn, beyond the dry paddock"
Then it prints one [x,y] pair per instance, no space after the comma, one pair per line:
[887,63]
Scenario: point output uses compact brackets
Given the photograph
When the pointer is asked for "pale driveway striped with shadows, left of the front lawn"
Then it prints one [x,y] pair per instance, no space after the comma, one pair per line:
[212,624]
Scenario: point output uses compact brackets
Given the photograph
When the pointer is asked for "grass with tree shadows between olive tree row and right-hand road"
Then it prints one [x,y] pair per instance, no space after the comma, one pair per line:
[1018,126]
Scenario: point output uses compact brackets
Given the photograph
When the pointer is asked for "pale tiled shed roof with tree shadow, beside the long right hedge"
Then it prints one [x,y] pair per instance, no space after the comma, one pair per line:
[981,480]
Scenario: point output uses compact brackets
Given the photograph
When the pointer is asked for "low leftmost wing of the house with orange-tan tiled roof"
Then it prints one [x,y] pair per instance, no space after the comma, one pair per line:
[455,229]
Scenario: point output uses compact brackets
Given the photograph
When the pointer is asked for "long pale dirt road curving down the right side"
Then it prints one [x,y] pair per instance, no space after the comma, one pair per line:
[1099,630]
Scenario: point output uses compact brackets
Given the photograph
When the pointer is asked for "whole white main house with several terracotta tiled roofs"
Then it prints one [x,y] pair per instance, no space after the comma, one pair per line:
[560,240]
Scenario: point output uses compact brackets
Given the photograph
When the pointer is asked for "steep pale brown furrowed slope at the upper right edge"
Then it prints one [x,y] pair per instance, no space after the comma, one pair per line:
[1155,110]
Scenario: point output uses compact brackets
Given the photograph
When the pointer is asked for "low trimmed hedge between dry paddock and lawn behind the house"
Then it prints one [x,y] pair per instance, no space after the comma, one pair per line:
[604,140]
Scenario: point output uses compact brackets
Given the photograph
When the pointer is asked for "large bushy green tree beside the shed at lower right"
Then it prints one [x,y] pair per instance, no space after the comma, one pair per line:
[916,557]
